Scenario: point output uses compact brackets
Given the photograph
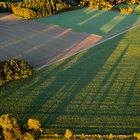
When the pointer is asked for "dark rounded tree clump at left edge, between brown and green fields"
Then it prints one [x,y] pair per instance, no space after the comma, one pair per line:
[14,70]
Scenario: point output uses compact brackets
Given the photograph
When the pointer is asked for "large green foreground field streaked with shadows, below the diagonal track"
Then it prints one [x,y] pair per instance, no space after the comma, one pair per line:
[96,91]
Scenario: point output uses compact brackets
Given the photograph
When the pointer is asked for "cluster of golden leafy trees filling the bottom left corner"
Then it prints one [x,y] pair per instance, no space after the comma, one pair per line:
[11,130]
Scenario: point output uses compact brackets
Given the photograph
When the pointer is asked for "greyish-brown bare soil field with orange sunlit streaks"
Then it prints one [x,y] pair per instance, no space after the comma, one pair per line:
[40,43]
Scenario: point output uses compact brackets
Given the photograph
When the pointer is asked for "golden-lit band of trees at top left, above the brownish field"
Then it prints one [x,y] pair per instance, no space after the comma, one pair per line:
[34,8]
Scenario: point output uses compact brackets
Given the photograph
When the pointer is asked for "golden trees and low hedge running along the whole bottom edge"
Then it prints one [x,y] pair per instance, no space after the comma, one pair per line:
[11,129]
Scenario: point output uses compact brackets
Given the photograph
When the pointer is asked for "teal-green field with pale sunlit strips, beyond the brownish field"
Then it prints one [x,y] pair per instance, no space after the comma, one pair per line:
[93,21]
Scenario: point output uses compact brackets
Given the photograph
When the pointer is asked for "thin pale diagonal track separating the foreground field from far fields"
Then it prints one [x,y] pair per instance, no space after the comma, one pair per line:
[100,42]
